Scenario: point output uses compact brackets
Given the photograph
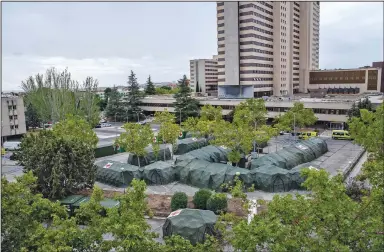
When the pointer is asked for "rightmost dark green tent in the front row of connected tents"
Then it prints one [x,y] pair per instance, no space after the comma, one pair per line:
[271,178]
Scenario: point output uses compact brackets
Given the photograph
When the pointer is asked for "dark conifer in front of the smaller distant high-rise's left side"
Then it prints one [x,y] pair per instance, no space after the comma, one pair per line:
[185,105]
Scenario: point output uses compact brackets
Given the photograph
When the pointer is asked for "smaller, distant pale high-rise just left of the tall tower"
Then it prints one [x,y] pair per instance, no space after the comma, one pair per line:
[203,76]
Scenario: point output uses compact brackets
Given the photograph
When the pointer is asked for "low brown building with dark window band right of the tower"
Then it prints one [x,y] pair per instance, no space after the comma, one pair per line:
[345,81]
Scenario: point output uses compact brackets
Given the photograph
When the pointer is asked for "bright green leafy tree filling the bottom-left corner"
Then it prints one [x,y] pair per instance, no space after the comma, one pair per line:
[23,213]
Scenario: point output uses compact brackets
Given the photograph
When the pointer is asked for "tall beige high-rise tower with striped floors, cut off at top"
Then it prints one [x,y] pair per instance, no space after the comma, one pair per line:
[264,48]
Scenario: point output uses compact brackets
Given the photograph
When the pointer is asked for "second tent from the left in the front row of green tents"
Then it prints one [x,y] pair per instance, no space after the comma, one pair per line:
[159,173]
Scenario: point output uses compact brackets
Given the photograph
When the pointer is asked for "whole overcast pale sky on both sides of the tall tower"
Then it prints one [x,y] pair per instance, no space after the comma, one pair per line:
[108,40]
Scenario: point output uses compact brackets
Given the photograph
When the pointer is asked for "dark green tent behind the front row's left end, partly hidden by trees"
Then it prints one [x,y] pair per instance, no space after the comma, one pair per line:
[151,157]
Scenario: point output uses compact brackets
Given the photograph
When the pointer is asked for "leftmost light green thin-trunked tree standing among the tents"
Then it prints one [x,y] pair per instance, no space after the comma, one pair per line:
[135,139]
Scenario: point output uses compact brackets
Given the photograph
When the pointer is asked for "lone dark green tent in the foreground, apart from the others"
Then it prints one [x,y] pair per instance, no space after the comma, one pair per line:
[191,224]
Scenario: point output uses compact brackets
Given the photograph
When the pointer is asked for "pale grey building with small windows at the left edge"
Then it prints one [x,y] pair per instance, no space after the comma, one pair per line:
[12,116]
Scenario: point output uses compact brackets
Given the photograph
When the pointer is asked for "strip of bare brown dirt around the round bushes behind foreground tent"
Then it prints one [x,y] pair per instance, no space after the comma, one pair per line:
[161,204]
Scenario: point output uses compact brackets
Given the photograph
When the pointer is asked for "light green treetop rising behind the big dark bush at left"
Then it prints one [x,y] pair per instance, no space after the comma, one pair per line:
[76,128]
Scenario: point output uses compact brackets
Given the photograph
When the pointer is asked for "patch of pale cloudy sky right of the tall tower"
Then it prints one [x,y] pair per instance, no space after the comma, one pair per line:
[351,34]
